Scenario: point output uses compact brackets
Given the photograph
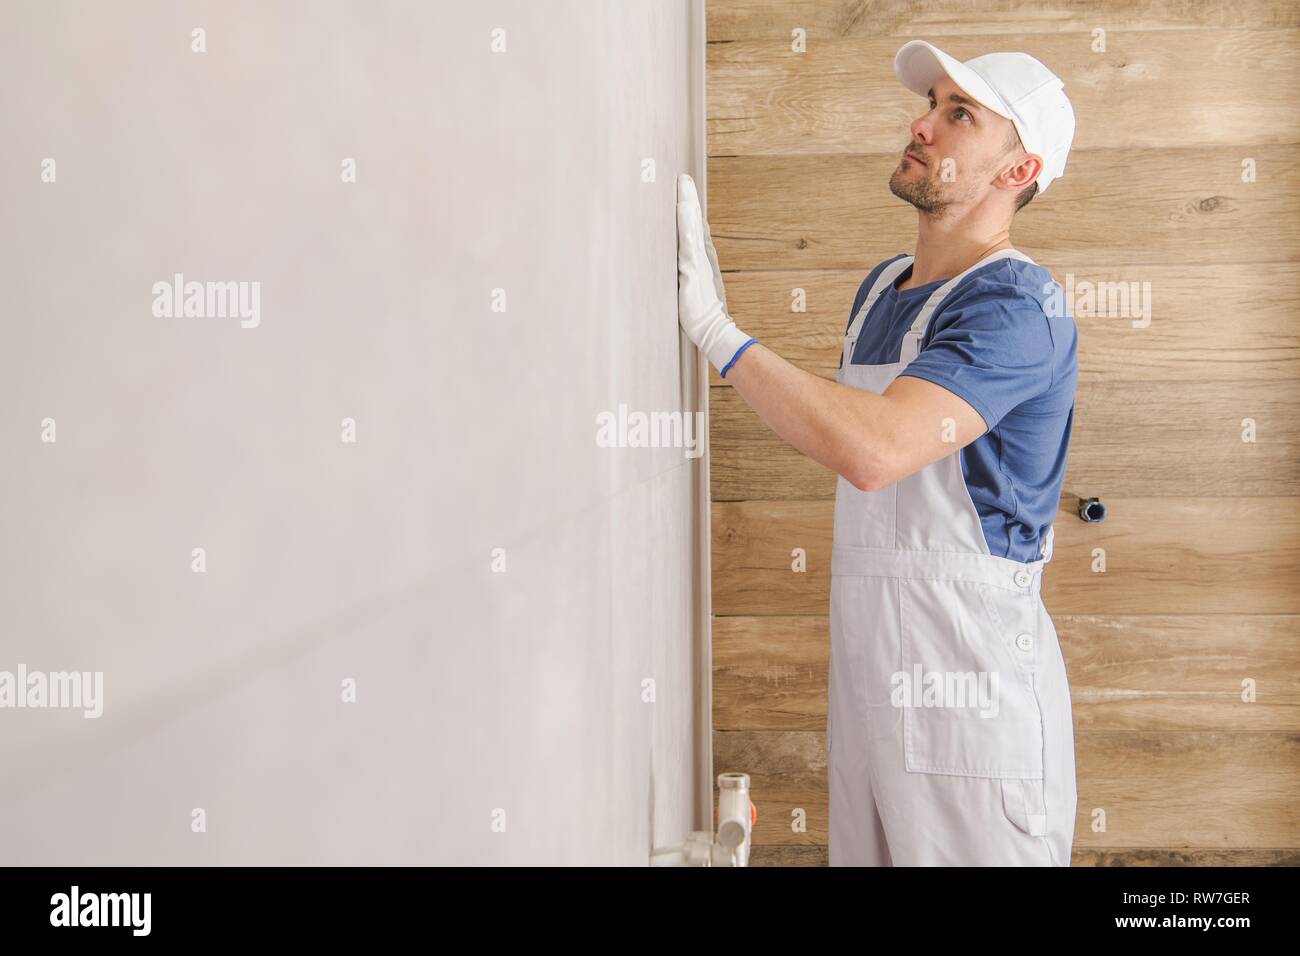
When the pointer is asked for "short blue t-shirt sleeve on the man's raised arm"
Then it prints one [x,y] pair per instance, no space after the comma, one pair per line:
[993,351]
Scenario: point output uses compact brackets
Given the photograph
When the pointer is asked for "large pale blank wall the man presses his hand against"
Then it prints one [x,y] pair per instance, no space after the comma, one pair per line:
[475,430]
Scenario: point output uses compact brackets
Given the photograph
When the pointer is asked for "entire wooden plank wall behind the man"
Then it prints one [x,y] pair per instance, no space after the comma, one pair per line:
[1202,582]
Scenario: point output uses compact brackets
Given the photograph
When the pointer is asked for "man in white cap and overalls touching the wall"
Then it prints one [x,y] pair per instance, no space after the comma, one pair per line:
[950,728]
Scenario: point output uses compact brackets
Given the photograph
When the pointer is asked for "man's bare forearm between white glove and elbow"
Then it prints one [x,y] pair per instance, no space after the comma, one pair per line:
[833,425]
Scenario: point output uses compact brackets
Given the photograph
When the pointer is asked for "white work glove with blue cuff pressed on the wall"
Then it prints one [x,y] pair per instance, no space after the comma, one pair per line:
[701,299]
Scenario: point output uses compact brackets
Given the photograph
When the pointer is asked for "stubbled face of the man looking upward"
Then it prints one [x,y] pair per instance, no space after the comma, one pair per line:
[964,148]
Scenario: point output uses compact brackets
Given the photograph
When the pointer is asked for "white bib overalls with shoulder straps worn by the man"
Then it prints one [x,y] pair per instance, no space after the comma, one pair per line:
[964,777]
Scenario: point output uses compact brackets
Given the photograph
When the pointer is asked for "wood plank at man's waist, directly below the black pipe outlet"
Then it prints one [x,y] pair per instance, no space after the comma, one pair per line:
[1163,556]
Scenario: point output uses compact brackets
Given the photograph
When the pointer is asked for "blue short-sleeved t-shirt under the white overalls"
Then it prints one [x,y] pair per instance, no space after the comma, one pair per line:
[996,344]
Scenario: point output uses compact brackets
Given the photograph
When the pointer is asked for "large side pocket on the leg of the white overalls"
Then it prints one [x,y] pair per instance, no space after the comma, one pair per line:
[968,682]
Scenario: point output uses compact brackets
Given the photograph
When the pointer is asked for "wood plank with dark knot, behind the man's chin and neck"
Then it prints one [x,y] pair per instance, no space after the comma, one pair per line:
[1162,207]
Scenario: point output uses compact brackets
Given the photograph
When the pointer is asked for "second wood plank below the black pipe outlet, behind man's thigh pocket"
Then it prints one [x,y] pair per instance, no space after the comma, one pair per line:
[1128,673]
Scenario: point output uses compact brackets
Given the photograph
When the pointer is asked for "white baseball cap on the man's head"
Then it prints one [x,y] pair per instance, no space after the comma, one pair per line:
[1012,85]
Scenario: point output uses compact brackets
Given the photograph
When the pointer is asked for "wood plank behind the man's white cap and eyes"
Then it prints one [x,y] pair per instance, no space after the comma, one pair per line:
[842,97]
